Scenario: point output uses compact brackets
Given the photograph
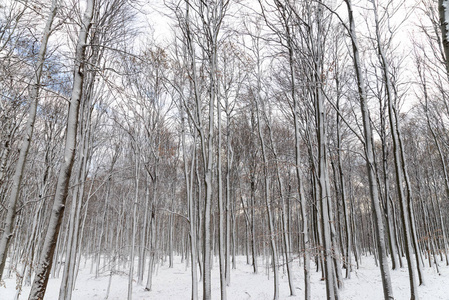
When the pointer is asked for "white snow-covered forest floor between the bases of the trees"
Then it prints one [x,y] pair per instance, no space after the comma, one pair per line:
[174,283]
